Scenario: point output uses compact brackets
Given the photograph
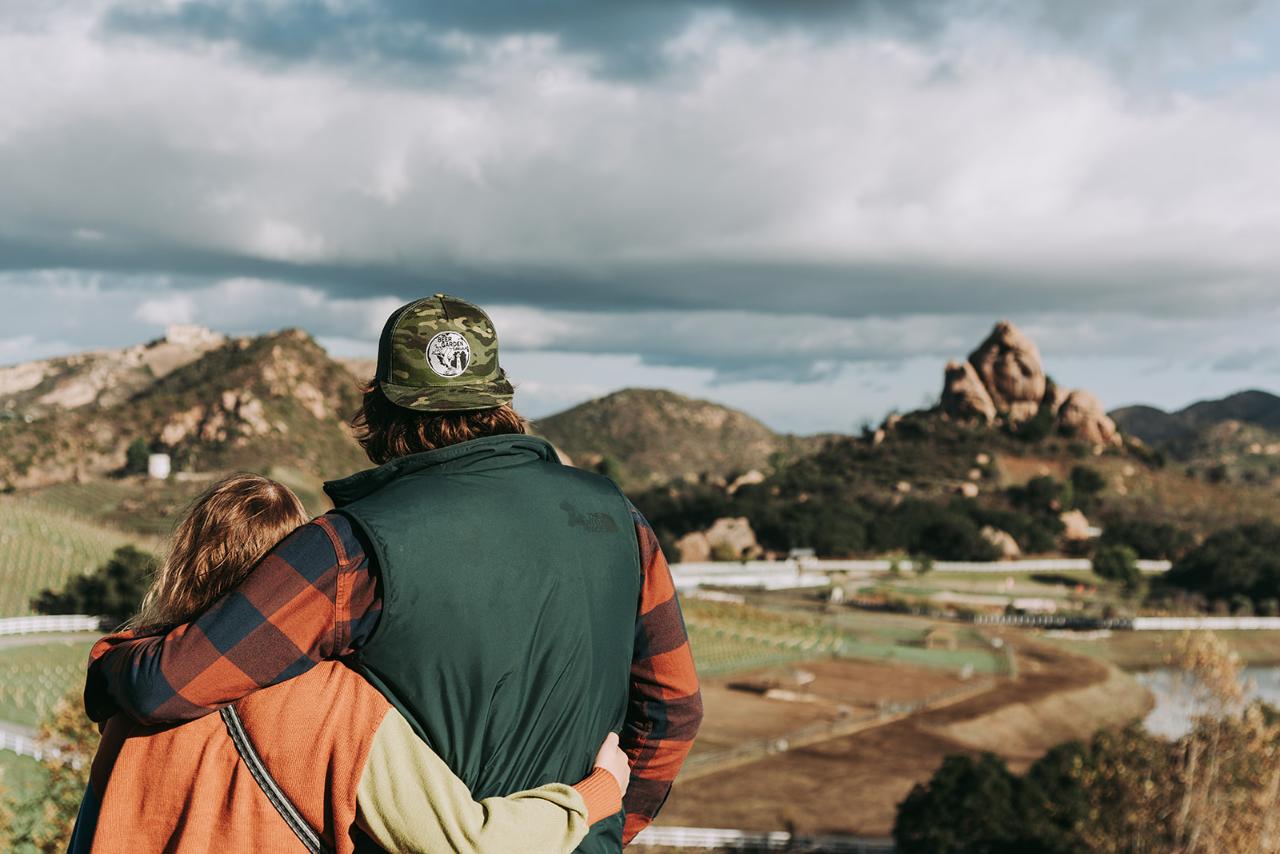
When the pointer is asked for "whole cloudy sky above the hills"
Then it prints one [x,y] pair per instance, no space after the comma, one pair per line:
[799,208]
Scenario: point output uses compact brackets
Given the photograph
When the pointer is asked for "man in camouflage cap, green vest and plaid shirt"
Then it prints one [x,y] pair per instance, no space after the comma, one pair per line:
[513,609]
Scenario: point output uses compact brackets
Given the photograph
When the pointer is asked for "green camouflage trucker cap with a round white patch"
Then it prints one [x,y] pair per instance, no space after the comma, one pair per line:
[441,355]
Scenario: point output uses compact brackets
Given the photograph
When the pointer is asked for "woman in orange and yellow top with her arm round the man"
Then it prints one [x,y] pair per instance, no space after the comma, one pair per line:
[337,751]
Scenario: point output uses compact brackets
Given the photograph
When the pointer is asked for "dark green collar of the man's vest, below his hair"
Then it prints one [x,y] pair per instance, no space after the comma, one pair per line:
[477,454]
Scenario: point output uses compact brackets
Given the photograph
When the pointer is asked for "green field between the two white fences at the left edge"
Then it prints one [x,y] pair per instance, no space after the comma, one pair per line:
[33,679]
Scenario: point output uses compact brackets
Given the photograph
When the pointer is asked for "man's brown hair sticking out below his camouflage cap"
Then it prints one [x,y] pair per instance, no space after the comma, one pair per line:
[388,432]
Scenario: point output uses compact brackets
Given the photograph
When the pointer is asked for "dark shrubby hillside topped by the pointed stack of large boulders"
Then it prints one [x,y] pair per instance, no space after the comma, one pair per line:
[1005,464]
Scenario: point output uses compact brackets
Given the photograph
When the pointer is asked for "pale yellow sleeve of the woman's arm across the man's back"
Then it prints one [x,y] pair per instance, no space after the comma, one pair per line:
[410,801]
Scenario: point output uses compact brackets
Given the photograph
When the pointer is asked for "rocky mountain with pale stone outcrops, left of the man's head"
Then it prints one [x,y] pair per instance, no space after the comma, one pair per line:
[212,404]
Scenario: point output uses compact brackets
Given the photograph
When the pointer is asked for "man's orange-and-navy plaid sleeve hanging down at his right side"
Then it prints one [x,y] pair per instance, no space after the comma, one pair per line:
[666,706]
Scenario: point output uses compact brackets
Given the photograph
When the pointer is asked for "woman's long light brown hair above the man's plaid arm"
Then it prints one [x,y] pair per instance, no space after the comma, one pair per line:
[227,532]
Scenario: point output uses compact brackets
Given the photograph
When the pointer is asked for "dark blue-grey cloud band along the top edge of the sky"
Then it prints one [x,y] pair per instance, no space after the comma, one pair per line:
[620,38]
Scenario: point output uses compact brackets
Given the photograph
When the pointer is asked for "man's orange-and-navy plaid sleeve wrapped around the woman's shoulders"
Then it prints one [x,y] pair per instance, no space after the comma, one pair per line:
[314,597]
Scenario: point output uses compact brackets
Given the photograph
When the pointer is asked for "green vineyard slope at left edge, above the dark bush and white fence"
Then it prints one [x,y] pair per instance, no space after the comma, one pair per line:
[42,547]
